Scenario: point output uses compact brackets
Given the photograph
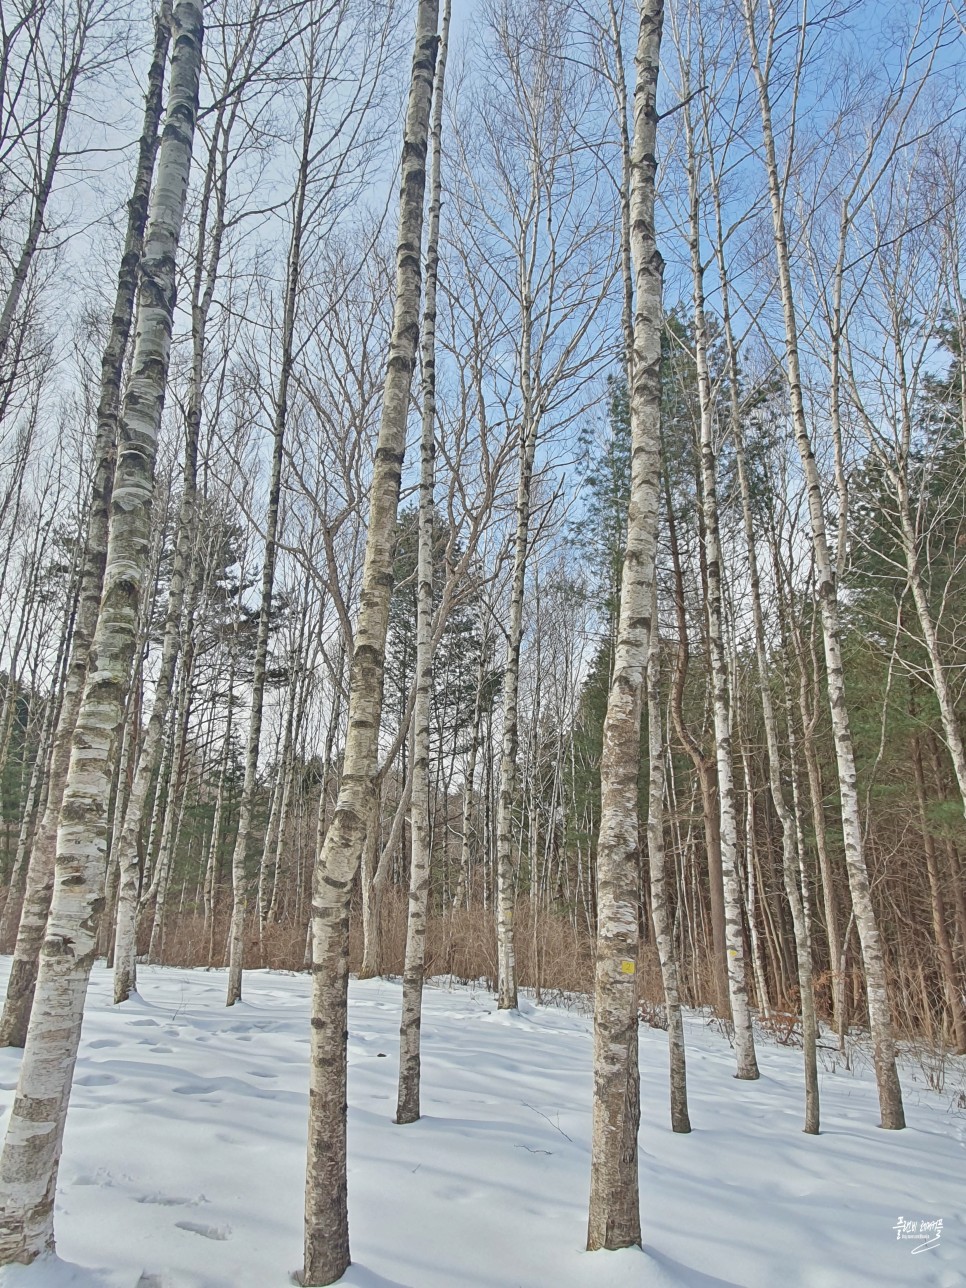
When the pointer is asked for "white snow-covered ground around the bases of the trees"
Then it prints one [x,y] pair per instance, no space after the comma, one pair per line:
[185,1155]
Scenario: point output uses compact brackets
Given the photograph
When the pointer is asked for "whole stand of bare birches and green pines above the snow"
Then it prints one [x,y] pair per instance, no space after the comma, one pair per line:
[490,506]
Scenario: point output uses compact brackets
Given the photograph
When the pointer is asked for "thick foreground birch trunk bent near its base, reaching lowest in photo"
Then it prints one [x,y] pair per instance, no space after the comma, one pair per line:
[327,1210]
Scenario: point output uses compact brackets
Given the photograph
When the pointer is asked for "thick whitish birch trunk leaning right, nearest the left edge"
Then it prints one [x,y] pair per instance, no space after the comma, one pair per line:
[34,1137]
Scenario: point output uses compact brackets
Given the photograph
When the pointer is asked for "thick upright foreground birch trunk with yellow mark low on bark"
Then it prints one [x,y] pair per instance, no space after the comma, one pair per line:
[615,1201]
